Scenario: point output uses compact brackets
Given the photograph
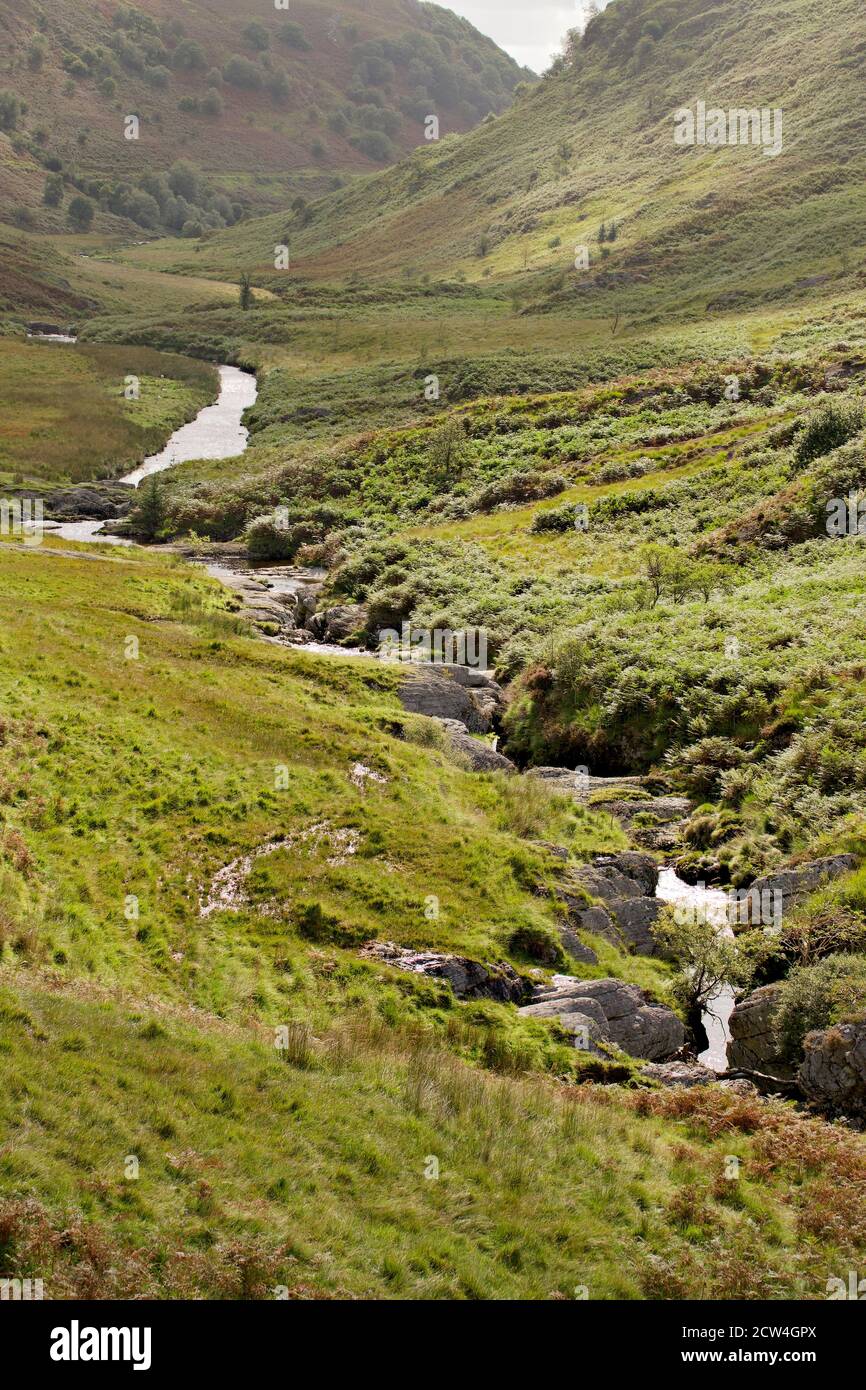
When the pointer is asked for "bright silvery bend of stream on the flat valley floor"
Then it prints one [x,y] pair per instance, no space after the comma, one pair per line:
[216,433]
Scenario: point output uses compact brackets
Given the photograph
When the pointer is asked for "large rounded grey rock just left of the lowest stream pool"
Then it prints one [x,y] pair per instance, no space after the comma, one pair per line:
[632,1020]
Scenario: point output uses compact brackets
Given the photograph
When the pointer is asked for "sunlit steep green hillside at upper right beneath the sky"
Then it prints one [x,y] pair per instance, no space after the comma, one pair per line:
[697,229]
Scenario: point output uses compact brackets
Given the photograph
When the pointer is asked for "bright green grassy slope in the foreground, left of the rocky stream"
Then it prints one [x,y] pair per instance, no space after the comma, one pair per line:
[199,1160]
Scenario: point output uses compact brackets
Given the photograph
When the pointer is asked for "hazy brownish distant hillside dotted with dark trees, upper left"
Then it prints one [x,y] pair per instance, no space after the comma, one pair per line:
[263,101]
